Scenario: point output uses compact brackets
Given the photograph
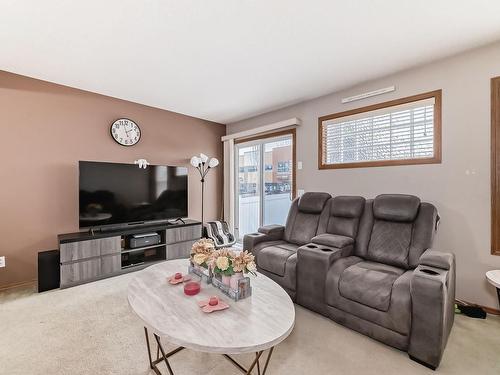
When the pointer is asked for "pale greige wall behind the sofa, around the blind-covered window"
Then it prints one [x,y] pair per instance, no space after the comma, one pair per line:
[459,186]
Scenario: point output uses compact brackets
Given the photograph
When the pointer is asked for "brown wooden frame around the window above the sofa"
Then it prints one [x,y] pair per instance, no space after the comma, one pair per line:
[436,159]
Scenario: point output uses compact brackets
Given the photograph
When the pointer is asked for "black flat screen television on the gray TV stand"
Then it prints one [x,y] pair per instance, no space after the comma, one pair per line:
[115,194]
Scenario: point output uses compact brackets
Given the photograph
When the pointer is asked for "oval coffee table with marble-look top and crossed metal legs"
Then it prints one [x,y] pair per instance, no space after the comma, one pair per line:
[254,324]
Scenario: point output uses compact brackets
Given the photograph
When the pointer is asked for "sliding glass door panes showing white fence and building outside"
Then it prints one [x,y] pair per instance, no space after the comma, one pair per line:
[264,182]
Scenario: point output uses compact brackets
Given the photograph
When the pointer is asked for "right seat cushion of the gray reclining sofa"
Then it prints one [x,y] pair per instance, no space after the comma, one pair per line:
[369,283]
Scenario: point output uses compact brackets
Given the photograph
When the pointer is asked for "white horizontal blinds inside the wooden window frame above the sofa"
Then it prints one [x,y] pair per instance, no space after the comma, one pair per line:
[399,132]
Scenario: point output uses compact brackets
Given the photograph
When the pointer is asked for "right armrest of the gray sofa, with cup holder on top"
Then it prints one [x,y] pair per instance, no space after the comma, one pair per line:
[432,289]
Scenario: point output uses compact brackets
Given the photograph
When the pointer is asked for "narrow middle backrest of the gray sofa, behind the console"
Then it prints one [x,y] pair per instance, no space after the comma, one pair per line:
[342,216]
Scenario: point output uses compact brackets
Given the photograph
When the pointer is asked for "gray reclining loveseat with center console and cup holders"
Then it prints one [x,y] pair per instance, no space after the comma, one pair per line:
[366,264]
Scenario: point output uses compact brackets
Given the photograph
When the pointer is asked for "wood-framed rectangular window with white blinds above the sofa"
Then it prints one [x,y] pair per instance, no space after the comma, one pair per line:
[404,131]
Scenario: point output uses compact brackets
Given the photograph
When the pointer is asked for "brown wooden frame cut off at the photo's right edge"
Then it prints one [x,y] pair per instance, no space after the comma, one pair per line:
[495,166]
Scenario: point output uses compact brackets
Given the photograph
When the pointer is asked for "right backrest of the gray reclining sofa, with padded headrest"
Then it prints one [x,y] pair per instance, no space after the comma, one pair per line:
[396,229]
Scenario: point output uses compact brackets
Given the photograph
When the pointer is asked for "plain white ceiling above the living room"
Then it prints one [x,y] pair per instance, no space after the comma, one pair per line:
[226,60]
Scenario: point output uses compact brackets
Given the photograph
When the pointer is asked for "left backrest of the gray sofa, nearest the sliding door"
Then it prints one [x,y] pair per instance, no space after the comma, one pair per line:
[303,217]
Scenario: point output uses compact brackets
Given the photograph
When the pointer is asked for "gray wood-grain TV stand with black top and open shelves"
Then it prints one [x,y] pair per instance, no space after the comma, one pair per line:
[87,256]
